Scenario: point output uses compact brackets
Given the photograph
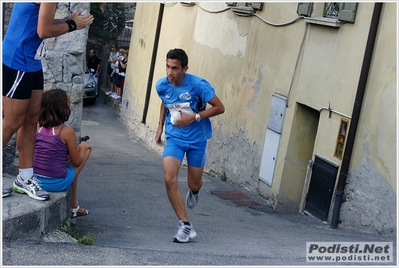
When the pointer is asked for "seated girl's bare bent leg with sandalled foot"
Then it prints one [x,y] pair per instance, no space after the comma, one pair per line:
[84,152]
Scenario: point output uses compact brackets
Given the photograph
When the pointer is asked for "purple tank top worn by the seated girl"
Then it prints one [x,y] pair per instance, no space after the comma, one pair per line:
[50,154]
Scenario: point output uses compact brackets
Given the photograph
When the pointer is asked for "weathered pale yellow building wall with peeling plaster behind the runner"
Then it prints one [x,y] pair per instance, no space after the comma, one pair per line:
[247,60]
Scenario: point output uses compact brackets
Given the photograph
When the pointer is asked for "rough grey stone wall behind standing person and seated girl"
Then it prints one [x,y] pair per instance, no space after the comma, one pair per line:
[63,67]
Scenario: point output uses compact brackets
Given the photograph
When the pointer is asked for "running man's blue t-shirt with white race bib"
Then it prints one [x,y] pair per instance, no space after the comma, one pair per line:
[188,97]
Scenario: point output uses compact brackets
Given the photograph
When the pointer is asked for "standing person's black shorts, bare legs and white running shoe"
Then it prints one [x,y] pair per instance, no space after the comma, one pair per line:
[21,107]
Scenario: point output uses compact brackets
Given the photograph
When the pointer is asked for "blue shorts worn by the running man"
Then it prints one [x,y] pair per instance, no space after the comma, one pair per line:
[195,152]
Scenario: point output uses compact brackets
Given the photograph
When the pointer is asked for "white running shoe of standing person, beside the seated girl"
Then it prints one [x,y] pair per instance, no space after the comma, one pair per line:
[30,187]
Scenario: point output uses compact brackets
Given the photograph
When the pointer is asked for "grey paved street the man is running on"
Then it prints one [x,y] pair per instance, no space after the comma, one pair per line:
[132,222]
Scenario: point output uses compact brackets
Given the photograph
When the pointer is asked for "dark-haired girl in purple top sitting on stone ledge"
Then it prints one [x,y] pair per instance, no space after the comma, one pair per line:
[58,159]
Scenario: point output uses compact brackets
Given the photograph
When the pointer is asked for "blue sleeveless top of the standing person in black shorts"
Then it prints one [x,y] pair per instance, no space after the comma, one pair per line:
[22,41]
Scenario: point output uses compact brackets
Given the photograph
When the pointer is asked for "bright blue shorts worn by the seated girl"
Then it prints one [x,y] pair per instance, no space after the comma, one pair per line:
[57,184]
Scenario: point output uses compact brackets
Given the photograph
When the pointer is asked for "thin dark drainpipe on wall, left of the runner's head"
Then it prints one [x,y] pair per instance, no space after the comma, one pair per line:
[152,66]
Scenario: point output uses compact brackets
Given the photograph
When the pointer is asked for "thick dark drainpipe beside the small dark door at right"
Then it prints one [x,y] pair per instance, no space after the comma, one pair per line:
[356,113]
